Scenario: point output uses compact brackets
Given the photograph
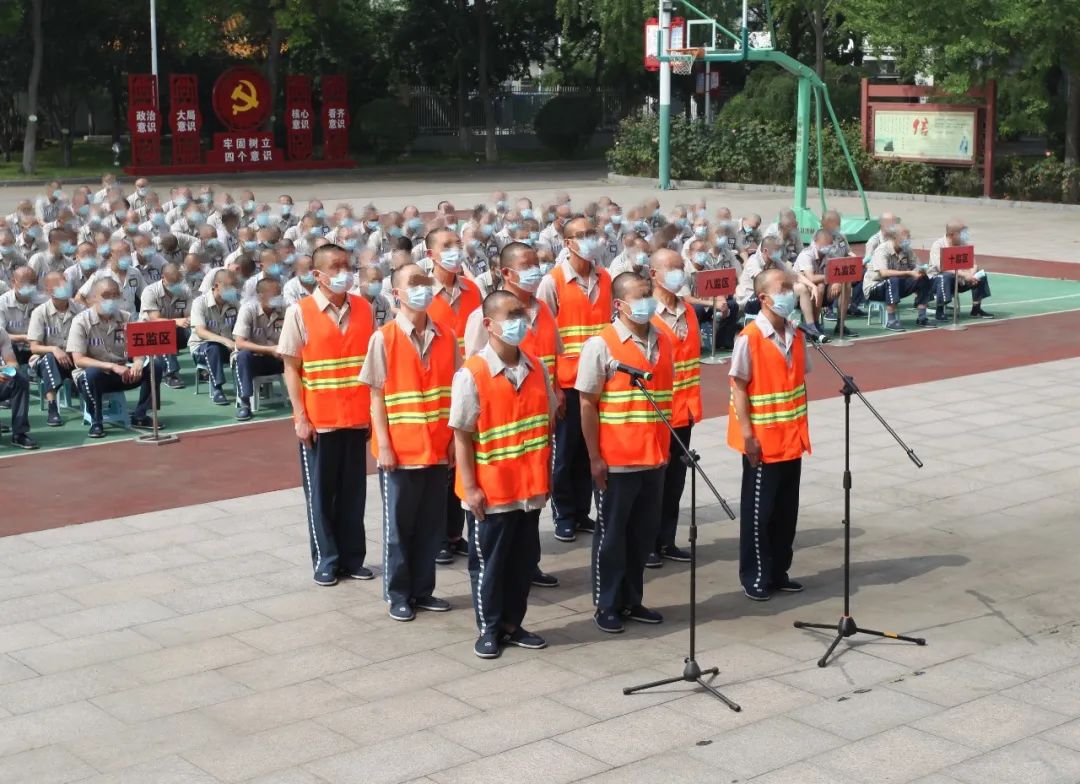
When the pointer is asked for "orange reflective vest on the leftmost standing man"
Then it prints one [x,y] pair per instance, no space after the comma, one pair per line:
[330,367]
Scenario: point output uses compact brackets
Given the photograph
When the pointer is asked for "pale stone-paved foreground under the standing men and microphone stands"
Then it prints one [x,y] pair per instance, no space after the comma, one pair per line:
[192,645]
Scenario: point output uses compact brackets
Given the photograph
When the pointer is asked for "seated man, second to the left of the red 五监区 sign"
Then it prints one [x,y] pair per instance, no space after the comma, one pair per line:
[50,326]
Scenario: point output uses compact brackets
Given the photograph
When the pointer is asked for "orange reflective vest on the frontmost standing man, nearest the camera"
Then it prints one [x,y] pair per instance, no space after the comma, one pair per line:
[514,434]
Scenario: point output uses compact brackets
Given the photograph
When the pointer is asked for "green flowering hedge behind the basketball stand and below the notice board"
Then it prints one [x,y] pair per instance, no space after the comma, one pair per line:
[764,153]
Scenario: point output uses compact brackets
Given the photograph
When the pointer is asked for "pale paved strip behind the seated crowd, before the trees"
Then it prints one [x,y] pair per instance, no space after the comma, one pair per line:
[1041,234]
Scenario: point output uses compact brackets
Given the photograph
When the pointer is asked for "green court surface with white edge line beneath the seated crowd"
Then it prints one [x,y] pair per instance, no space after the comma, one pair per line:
[1015,298]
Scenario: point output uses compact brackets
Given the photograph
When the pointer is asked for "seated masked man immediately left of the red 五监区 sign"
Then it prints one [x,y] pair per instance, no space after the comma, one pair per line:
[98,343]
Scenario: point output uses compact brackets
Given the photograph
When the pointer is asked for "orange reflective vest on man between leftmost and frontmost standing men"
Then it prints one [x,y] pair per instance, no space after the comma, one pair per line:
[417,398]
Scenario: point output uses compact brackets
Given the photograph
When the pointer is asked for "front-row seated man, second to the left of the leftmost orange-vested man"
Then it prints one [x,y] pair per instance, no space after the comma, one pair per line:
[213,317]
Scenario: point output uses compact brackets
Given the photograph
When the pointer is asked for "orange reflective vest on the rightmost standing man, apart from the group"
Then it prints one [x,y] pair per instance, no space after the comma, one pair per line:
[778,400]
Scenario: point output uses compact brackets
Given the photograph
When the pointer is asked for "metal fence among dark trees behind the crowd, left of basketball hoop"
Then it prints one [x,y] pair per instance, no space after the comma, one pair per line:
[437,114]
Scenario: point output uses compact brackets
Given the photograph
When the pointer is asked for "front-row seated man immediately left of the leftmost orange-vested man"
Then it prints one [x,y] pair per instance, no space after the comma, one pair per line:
[256,333]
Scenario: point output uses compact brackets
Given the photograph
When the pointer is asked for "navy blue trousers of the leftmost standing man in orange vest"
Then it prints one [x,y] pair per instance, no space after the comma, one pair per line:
[335,484]
